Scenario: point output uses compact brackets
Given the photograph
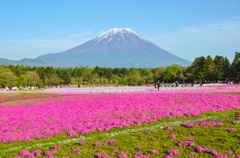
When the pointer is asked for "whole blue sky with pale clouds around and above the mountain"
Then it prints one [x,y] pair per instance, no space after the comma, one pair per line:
[186,28]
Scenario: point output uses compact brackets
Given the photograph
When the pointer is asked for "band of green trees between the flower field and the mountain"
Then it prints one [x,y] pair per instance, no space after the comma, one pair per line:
[203,70]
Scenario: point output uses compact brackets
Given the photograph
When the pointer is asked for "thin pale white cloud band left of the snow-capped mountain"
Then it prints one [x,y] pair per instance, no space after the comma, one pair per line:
[32,48]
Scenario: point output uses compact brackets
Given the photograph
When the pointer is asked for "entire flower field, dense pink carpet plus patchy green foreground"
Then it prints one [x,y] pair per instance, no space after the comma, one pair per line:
[95,124]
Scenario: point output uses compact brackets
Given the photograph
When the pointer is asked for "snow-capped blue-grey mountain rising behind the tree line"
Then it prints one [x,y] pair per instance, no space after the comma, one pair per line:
[118,47]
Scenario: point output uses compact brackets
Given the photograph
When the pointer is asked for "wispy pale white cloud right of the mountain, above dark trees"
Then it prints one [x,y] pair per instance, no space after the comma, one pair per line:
[220,38]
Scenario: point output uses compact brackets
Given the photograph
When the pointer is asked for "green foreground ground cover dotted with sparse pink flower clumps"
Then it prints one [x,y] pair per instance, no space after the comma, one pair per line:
[145,141]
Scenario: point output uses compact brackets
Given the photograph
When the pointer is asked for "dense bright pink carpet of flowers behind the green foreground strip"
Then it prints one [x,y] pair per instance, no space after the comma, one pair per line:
[83,113]
